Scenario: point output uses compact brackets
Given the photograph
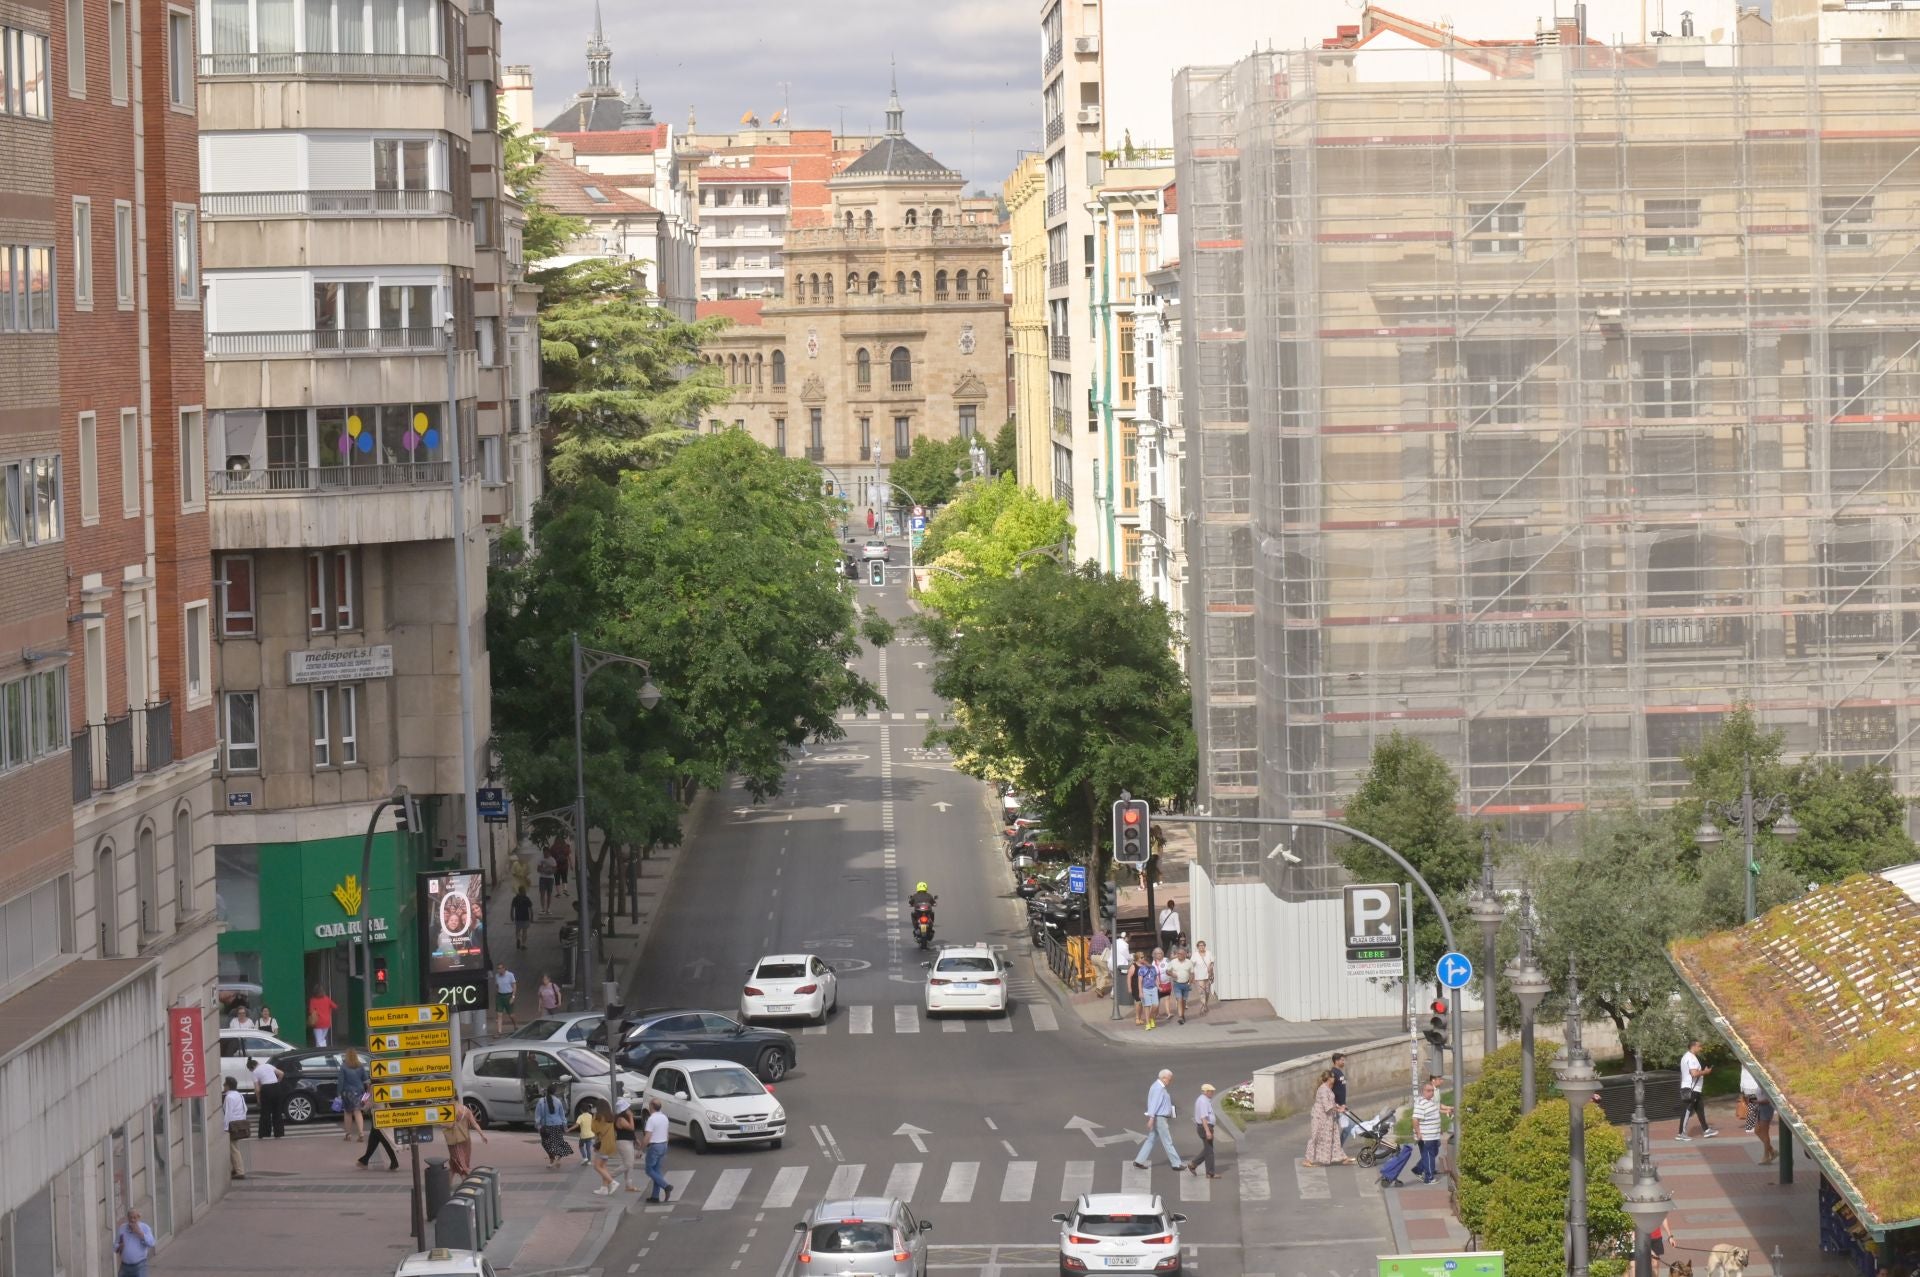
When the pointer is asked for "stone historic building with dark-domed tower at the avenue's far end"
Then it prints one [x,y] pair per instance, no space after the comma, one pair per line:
[892,327]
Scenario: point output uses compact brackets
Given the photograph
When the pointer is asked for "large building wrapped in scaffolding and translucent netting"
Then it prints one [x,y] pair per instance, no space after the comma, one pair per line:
[1547,402]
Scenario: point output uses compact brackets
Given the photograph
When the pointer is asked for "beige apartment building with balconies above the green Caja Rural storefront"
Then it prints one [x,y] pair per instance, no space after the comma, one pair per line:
[354,287]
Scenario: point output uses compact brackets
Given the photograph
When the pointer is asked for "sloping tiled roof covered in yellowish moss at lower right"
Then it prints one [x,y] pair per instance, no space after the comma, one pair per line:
[1821,1000]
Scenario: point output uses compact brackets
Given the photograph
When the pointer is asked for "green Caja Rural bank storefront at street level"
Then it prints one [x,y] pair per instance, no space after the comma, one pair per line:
[289,917]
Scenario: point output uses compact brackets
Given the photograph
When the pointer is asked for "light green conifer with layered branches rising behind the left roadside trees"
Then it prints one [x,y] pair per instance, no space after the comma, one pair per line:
[623,375]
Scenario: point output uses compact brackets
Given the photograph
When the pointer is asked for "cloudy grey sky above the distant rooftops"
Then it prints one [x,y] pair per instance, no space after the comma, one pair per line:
[969,72]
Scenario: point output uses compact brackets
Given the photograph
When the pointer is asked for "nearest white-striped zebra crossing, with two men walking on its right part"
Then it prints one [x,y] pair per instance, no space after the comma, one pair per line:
[957,1184]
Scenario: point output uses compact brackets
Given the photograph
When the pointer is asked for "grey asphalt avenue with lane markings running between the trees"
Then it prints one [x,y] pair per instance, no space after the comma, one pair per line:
[827,869]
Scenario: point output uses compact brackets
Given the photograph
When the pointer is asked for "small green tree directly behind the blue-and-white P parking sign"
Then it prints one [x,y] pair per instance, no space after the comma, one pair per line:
[1408,800]
